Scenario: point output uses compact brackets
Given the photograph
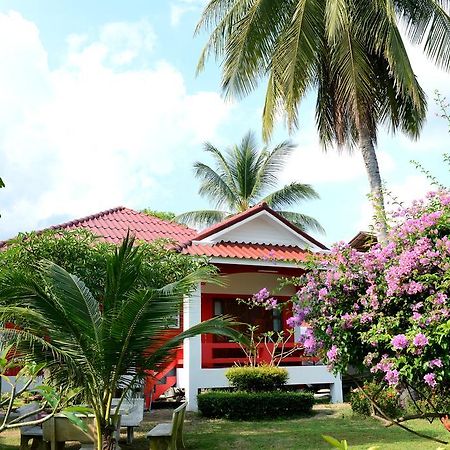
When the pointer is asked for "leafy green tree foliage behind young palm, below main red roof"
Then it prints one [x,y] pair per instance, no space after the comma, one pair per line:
[83,254]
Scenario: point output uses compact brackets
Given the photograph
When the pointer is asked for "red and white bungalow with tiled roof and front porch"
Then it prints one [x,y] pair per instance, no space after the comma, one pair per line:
[252,250]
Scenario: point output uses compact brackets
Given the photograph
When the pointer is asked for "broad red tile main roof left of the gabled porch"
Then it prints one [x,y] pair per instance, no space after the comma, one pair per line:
[113,225]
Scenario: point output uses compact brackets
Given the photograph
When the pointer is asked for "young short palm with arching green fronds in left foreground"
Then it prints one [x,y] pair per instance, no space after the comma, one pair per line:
[92,343]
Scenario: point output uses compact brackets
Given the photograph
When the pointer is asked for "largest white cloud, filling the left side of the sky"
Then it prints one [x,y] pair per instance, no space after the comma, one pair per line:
[84,136]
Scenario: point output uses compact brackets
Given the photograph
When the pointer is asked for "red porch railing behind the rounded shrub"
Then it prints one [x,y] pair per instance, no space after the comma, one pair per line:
[227,354]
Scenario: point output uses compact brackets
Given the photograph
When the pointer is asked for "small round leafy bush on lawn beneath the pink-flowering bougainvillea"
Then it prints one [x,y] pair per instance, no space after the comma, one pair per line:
[387,399]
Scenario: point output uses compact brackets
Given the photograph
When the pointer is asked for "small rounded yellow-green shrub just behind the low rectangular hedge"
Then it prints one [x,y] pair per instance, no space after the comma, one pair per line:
[257,379]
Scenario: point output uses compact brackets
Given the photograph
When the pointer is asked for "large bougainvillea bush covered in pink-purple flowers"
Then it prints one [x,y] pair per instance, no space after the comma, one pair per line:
[386,311]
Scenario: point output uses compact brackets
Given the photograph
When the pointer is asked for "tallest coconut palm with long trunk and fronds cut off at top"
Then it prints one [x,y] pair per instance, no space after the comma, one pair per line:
[350,52]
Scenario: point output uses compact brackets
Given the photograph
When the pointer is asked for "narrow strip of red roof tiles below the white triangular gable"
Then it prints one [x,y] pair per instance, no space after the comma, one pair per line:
[247,251]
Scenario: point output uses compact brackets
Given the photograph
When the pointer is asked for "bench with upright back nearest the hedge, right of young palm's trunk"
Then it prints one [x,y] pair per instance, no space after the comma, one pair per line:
[169,435]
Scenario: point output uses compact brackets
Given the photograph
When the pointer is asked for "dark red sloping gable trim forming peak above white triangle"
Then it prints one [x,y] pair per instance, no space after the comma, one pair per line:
[251,212]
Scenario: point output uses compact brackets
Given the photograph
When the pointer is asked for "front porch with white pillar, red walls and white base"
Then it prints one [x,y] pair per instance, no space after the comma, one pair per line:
[206,358]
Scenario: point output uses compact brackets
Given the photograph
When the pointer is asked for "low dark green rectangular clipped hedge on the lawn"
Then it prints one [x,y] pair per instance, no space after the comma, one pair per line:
[239,405]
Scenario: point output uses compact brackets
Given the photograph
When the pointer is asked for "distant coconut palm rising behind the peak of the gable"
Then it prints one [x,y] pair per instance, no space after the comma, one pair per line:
[245,176]
